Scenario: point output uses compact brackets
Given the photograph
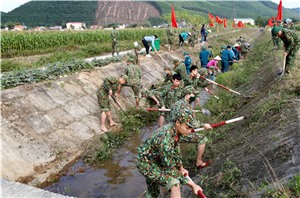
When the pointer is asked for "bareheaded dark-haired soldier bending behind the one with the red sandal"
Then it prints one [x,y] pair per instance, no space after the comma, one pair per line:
[170,94]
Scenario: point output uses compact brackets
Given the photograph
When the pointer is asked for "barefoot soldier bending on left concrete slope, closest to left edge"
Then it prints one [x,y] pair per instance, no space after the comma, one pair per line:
[106,89]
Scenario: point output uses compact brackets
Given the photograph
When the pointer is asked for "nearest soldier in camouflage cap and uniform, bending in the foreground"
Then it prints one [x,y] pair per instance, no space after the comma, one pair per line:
[159,158]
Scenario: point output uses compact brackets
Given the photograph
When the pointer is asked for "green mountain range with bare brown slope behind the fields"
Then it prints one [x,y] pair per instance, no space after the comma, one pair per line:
[50,13]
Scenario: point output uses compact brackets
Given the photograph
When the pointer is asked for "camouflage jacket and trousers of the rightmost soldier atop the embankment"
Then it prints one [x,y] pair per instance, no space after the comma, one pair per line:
[291,44]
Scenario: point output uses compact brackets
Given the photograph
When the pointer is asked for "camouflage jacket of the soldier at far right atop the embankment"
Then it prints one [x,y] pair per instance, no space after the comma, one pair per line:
[290,40]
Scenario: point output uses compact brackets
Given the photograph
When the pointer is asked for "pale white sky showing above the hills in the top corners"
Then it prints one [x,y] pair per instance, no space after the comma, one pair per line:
[9,5]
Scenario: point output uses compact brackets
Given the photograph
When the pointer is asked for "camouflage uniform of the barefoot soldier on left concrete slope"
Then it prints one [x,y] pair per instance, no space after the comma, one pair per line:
[102,93]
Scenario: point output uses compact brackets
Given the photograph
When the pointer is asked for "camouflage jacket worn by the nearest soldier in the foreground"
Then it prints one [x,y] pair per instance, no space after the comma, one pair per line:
[162,150]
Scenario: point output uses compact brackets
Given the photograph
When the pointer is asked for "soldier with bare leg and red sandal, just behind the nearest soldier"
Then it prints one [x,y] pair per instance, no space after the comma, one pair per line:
[189,96]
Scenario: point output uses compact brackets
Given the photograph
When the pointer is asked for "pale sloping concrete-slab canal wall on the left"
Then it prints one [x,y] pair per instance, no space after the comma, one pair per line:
[44,124]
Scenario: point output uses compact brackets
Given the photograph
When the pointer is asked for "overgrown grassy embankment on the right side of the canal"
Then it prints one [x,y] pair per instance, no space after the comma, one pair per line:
[271,102]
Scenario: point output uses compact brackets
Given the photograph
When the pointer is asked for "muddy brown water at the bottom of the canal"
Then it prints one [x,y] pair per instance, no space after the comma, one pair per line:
[118,177]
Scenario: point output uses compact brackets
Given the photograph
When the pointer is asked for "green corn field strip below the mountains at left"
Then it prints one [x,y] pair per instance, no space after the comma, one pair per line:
[27,40]
